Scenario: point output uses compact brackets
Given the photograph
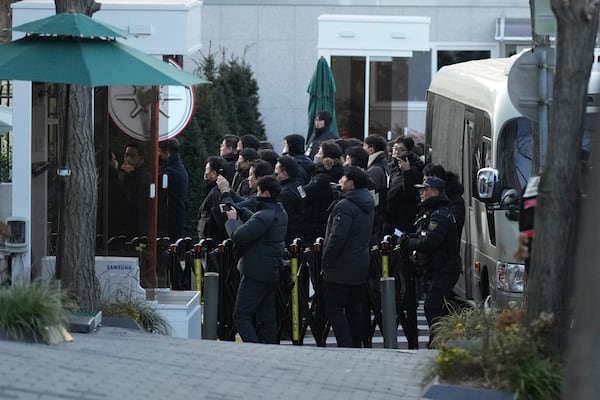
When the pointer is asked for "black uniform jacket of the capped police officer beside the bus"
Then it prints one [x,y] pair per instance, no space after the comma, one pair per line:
[436,238]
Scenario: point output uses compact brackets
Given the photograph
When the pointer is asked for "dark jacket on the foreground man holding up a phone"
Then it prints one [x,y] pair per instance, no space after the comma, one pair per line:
[260,240]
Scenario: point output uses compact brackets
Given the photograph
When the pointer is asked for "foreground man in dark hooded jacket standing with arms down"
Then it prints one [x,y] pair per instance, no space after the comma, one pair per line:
[345,260]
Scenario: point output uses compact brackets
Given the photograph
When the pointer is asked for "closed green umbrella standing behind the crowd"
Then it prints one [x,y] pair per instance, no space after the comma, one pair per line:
[322,95]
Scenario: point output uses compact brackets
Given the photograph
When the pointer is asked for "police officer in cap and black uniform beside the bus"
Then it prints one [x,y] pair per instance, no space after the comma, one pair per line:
[436,247]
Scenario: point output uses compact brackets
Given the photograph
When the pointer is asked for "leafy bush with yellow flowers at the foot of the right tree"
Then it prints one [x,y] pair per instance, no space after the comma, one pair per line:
[497,350]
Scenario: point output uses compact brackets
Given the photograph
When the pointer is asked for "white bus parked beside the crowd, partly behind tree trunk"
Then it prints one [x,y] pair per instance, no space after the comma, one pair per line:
[471,125]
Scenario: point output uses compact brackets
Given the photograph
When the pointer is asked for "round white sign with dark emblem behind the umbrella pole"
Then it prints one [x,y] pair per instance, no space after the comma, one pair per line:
[130,106]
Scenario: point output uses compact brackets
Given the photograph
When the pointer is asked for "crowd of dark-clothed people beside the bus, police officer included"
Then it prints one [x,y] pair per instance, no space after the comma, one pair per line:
[347,191]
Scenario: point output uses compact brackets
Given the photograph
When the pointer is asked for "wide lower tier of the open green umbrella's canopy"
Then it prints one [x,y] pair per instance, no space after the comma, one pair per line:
[87,62]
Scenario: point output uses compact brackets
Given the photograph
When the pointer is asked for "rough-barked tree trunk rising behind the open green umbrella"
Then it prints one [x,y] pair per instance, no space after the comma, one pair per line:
[77,230]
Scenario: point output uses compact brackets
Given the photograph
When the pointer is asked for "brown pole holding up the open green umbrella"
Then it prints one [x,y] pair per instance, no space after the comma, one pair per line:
[153,202]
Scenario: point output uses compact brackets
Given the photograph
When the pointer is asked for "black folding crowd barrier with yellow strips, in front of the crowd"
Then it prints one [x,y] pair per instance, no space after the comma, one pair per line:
[212,268]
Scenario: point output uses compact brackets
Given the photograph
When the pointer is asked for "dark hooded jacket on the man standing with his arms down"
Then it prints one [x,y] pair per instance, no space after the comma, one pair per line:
[346,245]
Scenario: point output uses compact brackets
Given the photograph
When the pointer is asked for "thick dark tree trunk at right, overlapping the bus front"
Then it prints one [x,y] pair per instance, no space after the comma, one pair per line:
[552,264]
